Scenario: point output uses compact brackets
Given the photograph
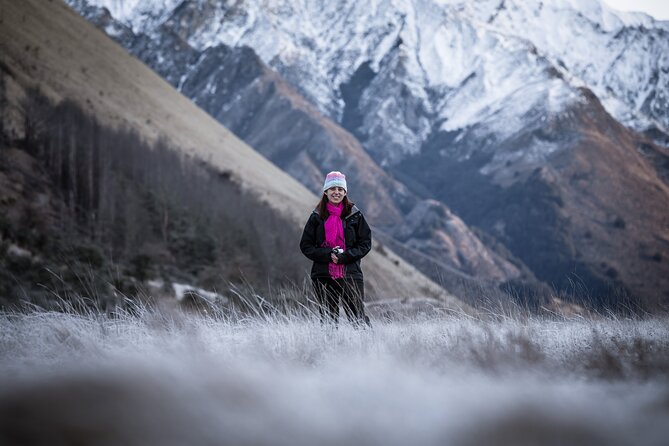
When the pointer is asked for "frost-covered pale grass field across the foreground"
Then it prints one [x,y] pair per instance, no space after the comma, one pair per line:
[175,378]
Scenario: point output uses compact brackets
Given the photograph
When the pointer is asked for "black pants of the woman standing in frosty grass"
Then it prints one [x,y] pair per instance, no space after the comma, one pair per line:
[351,293]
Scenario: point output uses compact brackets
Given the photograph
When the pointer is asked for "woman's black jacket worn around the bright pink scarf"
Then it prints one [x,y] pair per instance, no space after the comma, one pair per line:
[358,238]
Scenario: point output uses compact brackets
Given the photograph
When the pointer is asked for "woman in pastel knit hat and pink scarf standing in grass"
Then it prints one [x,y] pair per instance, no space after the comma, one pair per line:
[335,238]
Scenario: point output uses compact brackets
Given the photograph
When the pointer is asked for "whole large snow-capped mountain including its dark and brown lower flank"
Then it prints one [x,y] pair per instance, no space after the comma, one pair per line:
[491,107]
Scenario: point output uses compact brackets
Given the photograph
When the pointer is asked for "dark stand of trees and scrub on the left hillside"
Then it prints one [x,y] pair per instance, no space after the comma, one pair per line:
[87,210]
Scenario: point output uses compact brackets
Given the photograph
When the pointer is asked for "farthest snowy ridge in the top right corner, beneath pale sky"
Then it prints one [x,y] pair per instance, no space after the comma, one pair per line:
[622,57]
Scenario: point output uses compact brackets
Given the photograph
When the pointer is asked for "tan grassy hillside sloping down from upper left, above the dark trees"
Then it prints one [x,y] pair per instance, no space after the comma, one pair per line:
[45,45]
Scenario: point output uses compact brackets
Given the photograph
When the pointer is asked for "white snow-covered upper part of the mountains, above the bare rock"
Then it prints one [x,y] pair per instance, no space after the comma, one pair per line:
[455,59]
